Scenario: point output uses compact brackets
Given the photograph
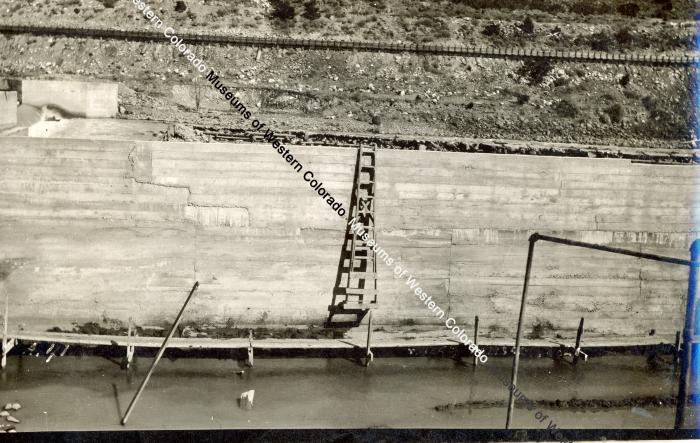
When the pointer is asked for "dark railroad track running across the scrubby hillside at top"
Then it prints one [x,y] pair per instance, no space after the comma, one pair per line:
[353,45]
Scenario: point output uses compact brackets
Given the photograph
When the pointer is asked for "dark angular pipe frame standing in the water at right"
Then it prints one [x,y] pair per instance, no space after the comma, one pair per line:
[689,331]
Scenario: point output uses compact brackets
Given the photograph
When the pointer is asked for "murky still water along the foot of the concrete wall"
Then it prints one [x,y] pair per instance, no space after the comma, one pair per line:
[91,393]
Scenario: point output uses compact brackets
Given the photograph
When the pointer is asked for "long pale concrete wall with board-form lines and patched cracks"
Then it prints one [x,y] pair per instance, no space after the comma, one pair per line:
[107,230]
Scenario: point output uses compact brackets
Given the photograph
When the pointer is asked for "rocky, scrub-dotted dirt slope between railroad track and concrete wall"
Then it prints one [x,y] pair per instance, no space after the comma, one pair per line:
[318,91]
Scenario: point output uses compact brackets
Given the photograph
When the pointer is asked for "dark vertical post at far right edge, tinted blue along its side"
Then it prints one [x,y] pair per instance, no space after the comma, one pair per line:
[688,333]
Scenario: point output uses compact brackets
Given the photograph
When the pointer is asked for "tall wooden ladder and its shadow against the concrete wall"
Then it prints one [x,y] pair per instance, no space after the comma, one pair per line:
[356,284]
